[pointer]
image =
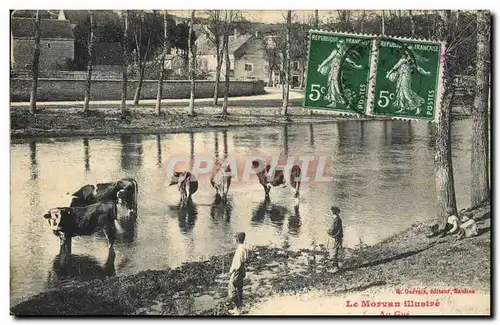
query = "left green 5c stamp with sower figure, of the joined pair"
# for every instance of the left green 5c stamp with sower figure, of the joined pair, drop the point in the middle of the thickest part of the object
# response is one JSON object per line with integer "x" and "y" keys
{"x": 338, "y": 72}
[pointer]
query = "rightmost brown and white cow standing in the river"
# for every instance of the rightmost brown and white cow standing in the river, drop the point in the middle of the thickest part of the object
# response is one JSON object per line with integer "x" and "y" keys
{"x": 278, "y": 179}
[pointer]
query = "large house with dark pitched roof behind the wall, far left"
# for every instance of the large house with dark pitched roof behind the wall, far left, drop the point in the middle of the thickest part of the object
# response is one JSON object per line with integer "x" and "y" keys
{"x": 57, "y": 43}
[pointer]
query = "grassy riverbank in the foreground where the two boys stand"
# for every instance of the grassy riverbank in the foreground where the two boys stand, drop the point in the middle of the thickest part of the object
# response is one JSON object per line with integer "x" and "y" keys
{"x": 199, "y": 288}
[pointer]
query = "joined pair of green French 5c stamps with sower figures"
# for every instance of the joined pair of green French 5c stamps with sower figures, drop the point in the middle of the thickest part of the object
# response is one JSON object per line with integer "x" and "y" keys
{"x": 371, "y": 75}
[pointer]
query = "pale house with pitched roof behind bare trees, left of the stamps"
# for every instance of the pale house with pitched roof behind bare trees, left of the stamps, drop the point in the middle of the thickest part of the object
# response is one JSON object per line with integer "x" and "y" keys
{"x": 246, "y": 56}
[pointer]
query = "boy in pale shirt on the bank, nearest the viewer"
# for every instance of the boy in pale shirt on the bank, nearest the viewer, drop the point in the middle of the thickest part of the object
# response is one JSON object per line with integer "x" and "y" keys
{"x": 237, "y": 273}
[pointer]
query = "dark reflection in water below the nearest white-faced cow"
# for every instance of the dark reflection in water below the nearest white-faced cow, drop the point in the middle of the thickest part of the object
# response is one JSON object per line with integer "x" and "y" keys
{"x": 79, "y": 268}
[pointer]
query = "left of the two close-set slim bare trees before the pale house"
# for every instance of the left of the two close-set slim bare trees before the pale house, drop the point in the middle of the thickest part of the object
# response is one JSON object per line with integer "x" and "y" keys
{"x": 214, "y": 33}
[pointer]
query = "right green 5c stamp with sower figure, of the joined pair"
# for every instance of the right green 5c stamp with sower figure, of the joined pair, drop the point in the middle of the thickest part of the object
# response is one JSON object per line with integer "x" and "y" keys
{"x": 407, "y": 78}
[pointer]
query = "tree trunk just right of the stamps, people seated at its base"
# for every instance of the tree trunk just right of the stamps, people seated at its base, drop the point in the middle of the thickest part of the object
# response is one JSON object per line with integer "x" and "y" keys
{"x": 445, "y": 186}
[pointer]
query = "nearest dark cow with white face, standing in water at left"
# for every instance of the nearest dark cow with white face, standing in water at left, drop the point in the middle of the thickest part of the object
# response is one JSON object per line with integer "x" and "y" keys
{"x": 68, "y": 222}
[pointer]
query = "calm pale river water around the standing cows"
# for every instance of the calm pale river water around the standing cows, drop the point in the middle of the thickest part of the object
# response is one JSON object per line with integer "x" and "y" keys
{"x": 383, "y": 181}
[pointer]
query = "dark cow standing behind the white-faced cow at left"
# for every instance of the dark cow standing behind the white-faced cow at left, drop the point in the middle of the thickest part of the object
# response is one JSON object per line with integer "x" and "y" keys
{"x": 123, "y": 192}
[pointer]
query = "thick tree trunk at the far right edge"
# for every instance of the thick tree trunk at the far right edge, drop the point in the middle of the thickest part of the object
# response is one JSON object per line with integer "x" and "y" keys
{"x": 480, "y": 189}
